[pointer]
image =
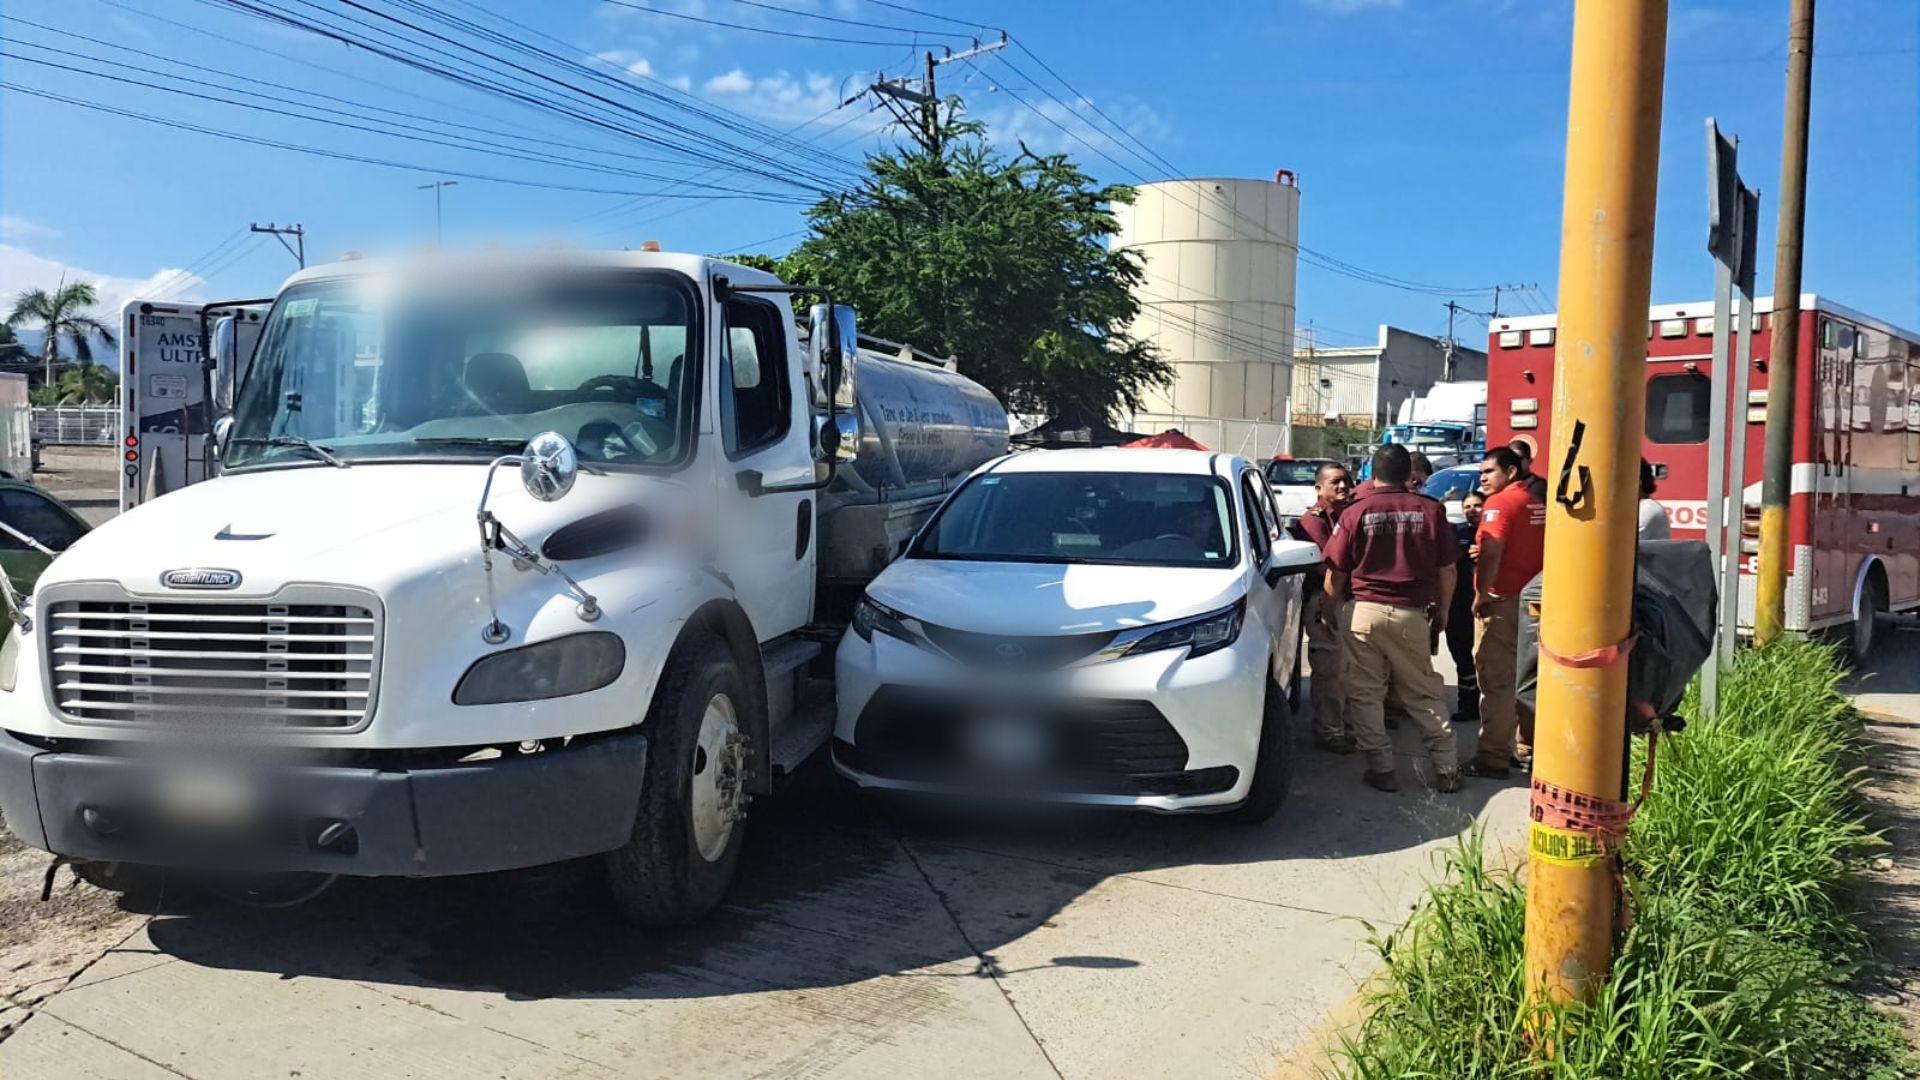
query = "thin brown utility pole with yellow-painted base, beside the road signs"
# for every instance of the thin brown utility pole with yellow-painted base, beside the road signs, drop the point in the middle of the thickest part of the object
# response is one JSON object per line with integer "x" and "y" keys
{"x": 1783, "y": 370}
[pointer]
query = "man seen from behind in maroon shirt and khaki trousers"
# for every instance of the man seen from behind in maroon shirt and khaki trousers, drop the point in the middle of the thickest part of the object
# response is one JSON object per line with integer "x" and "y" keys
{"x": 1393, "y": 552}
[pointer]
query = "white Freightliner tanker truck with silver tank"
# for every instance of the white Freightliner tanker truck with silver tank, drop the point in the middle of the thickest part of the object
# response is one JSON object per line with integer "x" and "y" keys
{"x": 358, "y": 650}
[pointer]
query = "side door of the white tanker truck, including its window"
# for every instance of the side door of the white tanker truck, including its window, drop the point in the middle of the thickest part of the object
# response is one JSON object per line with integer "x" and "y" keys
{"x": 769, "y": 552}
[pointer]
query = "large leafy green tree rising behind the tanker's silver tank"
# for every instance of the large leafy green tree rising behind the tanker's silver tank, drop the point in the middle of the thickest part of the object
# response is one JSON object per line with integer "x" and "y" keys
{"x": 999, "y": 262}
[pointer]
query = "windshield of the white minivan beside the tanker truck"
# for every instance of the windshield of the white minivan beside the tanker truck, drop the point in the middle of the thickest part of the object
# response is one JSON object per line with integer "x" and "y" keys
{"x": 1138, "y": 520}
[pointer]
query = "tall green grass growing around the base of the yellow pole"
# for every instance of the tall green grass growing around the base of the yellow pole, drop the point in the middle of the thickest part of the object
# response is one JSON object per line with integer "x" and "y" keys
{"x": 1742, "y": 943}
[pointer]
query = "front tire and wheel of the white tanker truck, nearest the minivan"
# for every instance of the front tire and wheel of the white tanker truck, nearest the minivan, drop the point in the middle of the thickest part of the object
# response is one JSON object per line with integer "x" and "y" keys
{"x": 686, "y": 843}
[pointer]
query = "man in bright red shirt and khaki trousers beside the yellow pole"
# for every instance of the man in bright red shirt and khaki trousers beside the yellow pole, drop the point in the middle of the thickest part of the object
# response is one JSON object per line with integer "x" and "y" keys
{"x": 1512, "y": 539}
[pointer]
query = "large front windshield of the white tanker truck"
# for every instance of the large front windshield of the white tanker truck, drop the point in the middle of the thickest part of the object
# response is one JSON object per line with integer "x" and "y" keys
{"x": 373, "y": 370}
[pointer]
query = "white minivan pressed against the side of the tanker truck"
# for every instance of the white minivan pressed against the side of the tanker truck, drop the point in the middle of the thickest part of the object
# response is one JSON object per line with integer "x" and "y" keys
{"x": 1109, "y": 627}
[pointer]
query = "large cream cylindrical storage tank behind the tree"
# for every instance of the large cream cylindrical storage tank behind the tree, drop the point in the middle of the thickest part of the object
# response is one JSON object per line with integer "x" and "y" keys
{"x": 1218, "y": 297}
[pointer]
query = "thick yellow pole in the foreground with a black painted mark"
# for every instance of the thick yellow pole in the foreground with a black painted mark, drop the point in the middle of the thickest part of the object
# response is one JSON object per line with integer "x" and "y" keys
{"x": 1614, "y": 147}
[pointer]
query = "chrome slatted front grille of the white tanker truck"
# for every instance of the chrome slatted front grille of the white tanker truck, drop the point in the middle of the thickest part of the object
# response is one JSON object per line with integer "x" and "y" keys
{"x": 212, "y": 664}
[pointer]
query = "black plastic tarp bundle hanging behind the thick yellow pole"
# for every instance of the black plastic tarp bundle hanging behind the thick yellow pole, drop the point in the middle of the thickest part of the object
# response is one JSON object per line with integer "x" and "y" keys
{"x": 1675, "y": 599}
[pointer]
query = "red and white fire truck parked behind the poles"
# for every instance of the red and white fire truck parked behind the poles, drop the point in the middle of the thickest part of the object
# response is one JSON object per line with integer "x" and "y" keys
{"x": 1854, "y": 524}
